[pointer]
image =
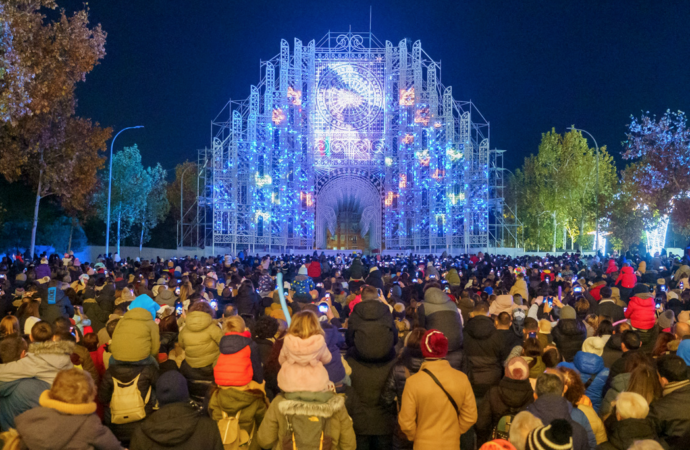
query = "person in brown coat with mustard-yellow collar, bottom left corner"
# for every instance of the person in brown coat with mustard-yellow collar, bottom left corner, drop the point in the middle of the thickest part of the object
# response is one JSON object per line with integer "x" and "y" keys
{"x": 66, "y": 417}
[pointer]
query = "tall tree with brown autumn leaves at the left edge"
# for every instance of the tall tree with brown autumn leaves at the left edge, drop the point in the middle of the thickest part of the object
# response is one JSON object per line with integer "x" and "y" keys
{"x": 43, "y": 144}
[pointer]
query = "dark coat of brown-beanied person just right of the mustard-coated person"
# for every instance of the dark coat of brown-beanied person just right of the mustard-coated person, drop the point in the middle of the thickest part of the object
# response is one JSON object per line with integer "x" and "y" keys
{"x": 507, "y": 398}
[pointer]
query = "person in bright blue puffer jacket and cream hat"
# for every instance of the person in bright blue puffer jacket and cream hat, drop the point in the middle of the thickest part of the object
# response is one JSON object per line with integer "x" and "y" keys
{"x": 590, "y": 365}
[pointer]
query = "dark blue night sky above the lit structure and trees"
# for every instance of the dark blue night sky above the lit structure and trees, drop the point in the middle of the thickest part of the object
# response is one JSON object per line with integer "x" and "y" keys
{"x": 171, "y": 65}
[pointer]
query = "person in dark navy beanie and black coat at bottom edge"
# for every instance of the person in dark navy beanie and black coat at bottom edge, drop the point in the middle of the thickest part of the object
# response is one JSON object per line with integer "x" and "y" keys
{"x": 192, "y": 429}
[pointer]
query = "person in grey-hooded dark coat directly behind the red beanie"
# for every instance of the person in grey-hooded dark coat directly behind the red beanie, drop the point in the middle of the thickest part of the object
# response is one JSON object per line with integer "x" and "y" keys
{"x": 440, "y": 313}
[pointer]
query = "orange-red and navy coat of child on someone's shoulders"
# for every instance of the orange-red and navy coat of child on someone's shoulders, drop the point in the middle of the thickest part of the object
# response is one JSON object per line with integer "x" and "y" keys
{"x": 239, "y": 361}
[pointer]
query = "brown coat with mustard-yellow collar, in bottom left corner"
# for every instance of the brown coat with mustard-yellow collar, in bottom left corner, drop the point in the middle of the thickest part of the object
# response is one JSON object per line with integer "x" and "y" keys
{"x": 58, "y": 425}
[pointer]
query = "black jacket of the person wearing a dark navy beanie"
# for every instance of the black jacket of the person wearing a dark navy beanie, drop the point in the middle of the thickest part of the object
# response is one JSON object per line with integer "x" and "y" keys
{"x": 179, "y": 426}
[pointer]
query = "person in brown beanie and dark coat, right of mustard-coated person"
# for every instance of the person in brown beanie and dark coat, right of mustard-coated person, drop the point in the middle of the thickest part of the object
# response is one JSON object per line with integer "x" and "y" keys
{"x": 512, "y": 394}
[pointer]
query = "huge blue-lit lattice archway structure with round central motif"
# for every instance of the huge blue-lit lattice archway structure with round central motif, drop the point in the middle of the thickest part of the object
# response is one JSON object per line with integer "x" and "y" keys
{"x": 367, "y": 116}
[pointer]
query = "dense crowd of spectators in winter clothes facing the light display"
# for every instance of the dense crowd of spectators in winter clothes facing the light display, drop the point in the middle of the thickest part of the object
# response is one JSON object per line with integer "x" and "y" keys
{"x": 365, "y": 352}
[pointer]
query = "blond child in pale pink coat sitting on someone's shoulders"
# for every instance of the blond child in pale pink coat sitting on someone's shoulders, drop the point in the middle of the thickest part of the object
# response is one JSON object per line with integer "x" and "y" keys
{"x": 303, "y": 356}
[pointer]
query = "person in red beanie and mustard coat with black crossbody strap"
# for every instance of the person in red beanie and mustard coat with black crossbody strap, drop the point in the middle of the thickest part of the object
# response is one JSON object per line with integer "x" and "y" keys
{"x": 427, "y": 416}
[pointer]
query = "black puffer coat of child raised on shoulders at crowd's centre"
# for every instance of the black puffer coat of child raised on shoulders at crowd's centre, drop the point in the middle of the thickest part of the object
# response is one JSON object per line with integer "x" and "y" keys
{"x": 371, "y": 332}
